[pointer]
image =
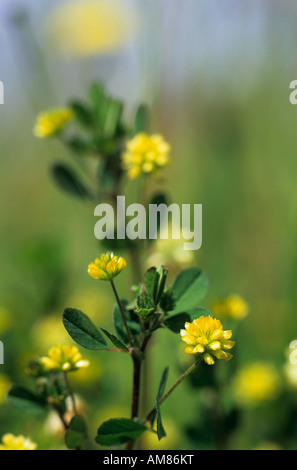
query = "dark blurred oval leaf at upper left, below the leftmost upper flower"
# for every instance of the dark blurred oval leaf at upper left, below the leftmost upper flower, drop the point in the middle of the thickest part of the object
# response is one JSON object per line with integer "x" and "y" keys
{"x": 68, "y": 181}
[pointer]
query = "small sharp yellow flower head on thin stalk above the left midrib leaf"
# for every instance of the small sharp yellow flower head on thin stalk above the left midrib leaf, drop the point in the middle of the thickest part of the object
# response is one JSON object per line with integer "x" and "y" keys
{"x": 107, "y": 267}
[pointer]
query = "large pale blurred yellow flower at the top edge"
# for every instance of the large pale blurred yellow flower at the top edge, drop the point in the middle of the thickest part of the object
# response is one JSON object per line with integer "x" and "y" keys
{"x": 85, "y": 28}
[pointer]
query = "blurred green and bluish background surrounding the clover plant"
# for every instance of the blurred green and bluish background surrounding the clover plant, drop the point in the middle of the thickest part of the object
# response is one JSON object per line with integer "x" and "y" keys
{"x": 216, "y": 76}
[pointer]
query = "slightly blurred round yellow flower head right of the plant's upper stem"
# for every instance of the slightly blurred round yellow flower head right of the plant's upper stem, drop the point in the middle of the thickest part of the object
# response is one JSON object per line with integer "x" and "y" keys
{"x": 145, "y": 154}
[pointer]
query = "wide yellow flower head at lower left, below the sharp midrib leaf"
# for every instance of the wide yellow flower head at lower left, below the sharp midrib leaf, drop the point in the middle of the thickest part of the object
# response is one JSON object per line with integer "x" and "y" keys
{"x": 63, "y": 359}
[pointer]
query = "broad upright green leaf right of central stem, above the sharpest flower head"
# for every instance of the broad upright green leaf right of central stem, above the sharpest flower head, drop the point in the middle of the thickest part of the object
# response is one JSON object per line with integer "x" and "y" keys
{"x": 189, "y": 288}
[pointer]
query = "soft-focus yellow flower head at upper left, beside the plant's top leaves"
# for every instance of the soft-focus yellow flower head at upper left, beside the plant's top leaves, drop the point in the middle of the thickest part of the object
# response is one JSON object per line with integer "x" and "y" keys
{"x": 51, "y": 122}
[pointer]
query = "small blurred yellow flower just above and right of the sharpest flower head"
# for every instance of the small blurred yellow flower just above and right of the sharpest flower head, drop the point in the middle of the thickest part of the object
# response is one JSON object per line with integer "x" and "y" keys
{"x": 233, "y": 306}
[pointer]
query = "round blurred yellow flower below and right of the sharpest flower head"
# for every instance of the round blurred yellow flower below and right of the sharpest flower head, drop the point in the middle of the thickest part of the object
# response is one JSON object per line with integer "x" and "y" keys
{"x": 255, "y": 383}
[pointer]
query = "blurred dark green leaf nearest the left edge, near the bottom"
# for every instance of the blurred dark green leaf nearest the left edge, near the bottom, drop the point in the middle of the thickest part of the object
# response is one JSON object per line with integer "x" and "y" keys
{"x": 26, "y": 399}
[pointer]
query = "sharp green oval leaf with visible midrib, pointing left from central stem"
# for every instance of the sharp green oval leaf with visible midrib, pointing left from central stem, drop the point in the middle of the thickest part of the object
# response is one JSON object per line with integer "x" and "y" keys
{"x": 82, "y": 330}
